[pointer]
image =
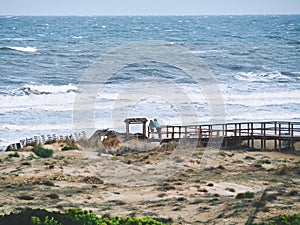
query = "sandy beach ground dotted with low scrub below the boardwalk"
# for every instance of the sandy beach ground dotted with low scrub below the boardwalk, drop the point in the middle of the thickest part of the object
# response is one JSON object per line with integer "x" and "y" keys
{"x": 192, "y": 195}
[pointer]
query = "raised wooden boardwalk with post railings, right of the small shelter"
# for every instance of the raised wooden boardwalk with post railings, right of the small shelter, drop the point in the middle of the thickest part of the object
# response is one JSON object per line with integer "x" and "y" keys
{"x": 279, "y": 135}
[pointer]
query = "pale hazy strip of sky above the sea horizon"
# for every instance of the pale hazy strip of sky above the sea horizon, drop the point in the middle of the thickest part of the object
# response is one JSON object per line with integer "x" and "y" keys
{"x": 148, "y": 7}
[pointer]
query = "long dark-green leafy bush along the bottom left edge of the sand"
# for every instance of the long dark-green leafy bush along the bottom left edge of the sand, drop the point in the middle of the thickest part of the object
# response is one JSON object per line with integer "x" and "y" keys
{"x": 70, "y": 217}
